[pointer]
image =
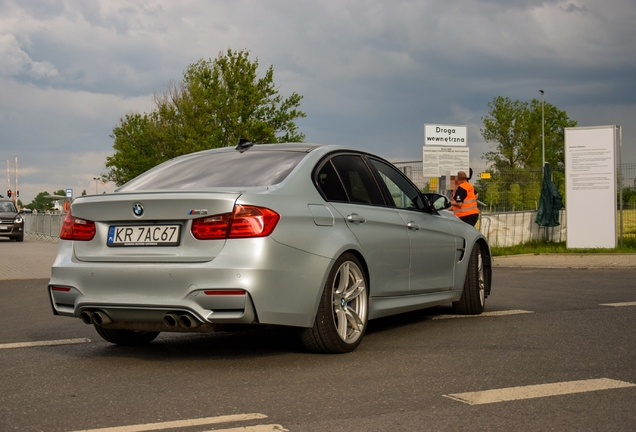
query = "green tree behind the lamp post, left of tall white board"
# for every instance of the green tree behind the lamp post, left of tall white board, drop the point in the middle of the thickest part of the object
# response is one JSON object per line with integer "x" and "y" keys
{"x": 515, "y": 129}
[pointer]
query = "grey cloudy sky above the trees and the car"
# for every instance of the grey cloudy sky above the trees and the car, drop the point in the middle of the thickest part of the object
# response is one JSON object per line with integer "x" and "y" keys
{"x": 372, "y": 72}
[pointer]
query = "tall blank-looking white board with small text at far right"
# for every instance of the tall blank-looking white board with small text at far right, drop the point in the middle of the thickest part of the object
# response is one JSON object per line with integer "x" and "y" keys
{"x": 590, "y": 183}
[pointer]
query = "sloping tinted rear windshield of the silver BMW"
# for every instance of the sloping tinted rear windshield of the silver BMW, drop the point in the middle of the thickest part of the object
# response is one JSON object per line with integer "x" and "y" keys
{"x": 213, "y": 169}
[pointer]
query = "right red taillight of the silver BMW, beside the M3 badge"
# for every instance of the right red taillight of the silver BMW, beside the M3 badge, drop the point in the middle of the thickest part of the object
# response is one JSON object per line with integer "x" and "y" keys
{"x": 243, "y": 222}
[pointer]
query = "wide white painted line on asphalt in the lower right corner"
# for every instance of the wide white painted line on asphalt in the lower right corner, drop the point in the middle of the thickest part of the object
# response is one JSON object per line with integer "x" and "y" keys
{"x": 537, "y": 391}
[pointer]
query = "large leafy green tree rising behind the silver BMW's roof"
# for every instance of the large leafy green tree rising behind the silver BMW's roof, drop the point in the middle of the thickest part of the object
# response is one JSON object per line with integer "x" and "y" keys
{"x": 217, "y": 102}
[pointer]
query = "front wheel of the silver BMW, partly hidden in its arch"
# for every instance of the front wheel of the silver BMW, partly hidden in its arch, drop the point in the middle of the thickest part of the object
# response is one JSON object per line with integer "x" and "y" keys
{"x": 473, "y": 298}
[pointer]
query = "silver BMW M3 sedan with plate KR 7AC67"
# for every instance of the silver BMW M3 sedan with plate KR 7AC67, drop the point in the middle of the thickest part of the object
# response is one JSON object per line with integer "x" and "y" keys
{"x": 319, "y": 237}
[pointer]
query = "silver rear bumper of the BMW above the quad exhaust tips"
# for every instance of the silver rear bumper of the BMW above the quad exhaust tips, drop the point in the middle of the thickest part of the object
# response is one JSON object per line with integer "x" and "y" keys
{"x": 250, "y": 281}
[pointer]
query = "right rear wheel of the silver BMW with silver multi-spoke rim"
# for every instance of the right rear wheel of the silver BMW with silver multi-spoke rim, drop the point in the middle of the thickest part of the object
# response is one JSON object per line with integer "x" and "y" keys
{"x": 341, "y": 320}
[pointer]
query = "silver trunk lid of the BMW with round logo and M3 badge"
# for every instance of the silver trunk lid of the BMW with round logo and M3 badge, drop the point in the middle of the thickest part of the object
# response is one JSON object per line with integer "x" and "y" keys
{"x": 145, "y": 213}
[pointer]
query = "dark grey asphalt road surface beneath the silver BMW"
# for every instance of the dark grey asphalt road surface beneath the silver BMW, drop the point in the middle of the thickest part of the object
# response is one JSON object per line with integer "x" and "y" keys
{"x": 554, "y": 351}
